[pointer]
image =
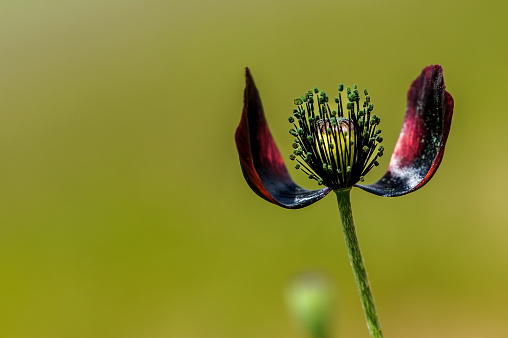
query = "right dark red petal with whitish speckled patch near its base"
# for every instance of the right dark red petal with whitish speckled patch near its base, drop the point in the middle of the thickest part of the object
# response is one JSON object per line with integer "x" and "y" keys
{"x": 422, "y": 140}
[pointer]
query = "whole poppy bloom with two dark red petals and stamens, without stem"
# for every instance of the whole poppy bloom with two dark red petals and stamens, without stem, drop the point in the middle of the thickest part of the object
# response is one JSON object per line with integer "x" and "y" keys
{"x": 338, "y": 147}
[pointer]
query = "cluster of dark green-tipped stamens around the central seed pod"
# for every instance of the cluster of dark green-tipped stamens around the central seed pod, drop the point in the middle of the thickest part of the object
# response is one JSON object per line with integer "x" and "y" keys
{"x": 334, "y": 147}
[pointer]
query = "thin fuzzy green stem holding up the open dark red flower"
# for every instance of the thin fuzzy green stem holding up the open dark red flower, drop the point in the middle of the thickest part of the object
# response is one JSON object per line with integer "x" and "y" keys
{"x": 355, "y": 257}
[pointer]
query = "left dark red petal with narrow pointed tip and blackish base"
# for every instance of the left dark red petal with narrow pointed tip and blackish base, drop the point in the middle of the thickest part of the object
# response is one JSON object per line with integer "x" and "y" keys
{"x": 262, "y": 165}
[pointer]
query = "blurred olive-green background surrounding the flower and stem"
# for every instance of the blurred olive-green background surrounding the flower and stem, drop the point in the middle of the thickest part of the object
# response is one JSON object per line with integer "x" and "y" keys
{"x": 123, "y": 209}
